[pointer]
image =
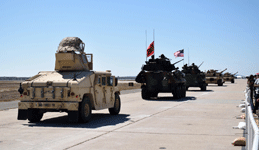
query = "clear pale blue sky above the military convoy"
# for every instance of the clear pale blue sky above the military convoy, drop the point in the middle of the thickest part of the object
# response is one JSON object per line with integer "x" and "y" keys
{"x": 222, "y": 33}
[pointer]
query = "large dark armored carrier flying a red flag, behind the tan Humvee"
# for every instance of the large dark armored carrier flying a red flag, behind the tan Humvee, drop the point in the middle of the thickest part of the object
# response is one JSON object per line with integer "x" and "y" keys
{"x": 159, "y": 75}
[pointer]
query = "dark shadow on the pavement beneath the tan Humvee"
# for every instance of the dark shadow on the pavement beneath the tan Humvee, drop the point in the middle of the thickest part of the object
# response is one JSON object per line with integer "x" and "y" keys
{"x": 97, "y": 120}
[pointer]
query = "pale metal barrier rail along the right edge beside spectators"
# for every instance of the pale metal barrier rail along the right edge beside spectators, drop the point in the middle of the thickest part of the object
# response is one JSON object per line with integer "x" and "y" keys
{"x": 252, "y": 132}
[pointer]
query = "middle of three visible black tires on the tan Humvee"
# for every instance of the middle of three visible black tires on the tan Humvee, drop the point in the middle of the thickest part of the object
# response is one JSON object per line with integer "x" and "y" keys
{"x": 85, "y": 110}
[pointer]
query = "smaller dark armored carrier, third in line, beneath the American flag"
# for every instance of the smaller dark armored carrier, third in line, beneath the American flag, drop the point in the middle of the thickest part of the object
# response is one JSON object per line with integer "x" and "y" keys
{"x": 194, "y": 77}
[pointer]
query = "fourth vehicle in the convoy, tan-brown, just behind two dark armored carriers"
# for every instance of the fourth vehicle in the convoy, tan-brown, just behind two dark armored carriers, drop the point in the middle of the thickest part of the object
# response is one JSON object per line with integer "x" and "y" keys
{"x": 215, "y": 77}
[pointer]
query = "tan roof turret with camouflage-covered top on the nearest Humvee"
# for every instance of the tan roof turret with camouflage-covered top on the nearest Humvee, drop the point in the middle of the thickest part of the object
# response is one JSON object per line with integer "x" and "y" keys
{"x": 70, "y": 56}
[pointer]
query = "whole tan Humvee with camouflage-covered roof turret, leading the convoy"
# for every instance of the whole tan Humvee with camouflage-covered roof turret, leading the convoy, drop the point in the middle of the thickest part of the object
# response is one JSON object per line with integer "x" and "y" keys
{"x": 73, "y": 87}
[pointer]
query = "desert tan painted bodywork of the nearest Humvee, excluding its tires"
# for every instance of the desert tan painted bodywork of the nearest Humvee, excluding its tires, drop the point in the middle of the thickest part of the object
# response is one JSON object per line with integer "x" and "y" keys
{"x": 53, "y": 89}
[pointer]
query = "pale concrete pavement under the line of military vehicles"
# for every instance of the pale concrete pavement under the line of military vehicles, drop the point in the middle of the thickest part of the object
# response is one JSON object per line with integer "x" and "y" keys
{"x": 202, "y": 120}
